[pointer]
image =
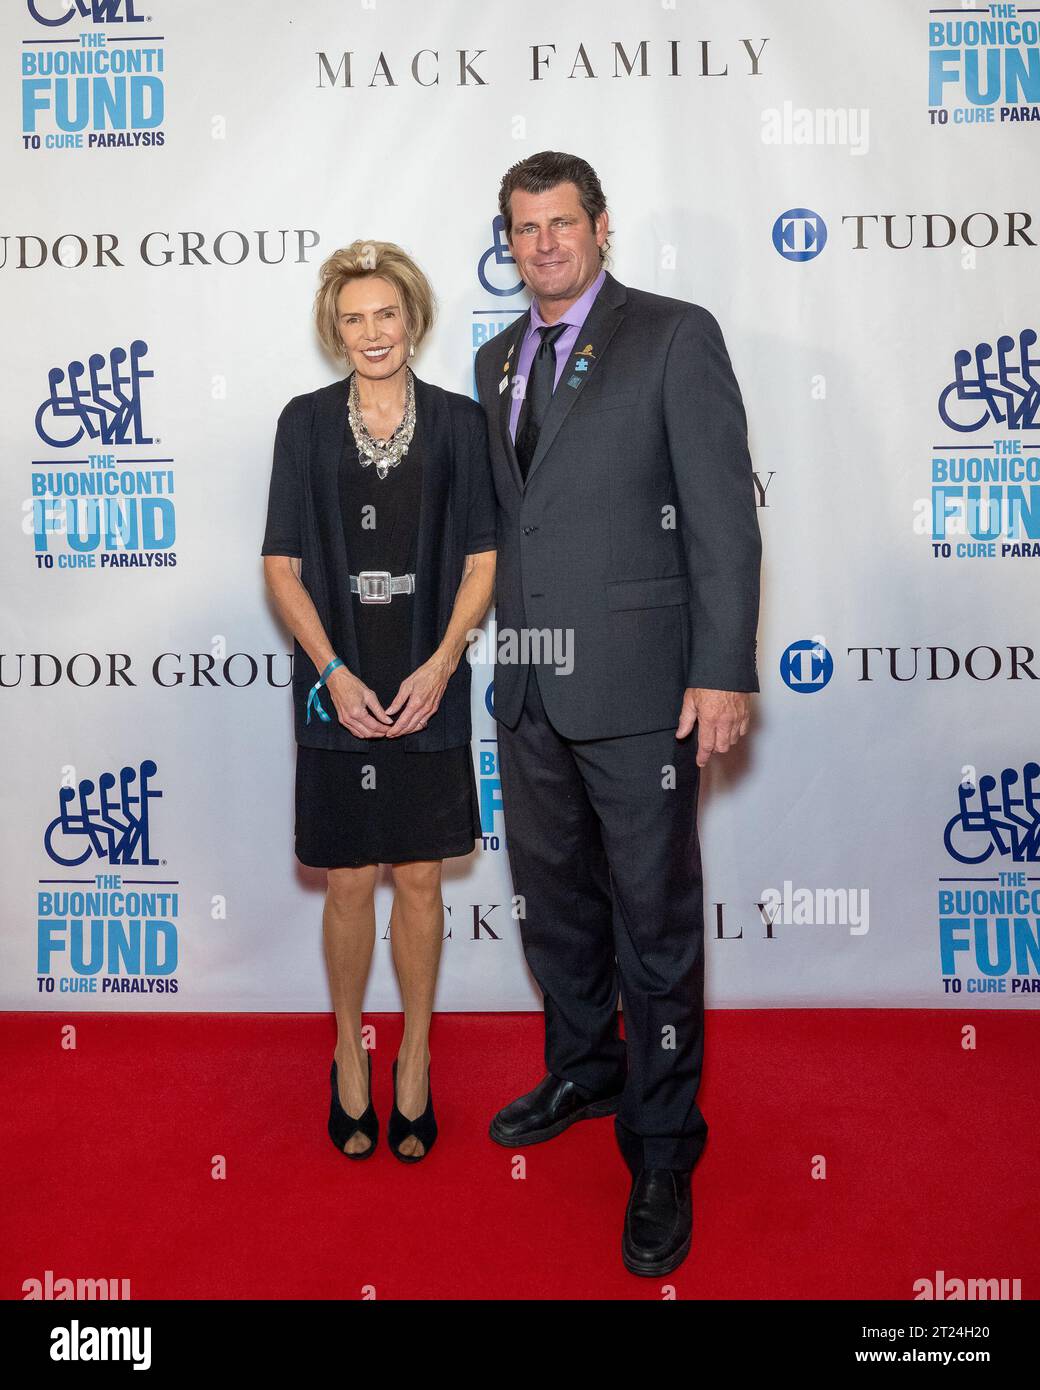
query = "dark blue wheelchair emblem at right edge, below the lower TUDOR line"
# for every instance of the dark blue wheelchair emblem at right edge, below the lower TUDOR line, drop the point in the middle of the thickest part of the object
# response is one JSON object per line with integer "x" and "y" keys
{"x": 1005, "y": 822}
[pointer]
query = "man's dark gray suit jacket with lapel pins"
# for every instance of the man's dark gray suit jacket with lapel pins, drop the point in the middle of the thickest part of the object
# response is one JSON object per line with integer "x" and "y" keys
{"x": 637, "y": 528}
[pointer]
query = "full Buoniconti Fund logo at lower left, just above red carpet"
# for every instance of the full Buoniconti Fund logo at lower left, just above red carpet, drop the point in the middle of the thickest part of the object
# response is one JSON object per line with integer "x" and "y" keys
{"x": 106, "y": 908}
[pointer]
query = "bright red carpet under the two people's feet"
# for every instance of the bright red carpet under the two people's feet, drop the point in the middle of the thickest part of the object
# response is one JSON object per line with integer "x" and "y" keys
{"x": 932, "y": 1157}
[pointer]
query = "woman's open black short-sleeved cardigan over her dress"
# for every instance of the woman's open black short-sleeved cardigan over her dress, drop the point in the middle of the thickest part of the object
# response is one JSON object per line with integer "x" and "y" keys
{"x": 457, "y": 519}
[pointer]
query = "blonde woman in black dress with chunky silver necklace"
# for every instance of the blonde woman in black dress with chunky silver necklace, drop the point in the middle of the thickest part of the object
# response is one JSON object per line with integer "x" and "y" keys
{"x": 380, "y": 557}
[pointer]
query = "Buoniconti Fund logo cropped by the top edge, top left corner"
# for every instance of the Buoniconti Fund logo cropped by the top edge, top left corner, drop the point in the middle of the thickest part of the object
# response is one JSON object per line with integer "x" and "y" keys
{"x": 92, "y": 77}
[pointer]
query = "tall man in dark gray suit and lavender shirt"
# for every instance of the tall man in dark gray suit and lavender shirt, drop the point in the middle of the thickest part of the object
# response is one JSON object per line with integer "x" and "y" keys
{"x": 628, "y": 528}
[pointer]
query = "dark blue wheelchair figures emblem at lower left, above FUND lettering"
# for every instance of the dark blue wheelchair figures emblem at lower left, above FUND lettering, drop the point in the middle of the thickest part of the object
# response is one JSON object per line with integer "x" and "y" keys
{"x": 112, "y": 828}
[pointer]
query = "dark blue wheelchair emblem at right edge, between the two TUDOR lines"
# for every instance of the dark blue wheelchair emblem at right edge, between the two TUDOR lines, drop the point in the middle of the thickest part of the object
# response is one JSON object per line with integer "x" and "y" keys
{"x": 993, "y": 393}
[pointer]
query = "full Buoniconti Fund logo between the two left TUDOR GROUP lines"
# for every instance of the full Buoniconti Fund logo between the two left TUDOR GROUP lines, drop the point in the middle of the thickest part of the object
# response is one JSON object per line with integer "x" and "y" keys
{"x": 102, "y": 498}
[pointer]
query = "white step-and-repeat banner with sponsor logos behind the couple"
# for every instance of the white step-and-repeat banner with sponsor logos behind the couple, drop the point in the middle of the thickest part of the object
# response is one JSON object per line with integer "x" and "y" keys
{"x": 850, "y": 190}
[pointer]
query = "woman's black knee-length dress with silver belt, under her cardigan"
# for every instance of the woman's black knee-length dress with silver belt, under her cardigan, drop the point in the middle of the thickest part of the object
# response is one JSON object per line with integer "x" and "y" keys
{"x": 422, "y": 806}
